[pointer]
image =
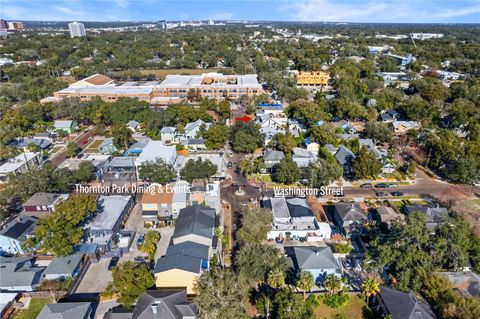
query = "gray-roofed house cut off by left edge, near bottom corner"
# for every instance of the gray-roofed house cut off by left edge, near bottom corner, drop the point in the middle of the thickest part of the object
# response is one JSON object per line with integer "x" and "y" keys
{"x": 19, "y": 274}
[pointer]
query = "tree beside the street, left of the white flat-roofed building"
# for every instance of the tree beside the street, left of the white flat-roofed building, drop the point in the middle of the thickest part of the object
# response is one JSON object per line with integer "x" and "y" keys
{"x": 256, "y": 223}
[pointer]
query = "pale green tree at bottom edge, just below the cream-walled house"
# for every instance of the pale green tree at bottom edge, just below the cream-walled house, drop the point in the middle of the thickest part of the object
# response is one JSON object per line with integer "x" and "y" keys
{"x": 220, "y": 294}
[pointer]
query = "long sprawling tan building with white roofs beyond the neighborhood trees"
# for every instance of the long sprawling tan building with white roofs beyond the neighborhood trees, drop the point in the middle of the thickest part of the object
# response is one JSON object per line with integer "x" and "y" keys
{"x": 173, "y": 89}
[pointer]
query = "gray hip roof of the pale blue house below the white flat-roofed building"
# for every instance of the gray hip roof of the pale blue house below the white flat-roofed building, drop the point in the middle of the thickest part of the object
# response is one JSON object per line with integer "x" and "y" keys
{"x": 314, "y": 258}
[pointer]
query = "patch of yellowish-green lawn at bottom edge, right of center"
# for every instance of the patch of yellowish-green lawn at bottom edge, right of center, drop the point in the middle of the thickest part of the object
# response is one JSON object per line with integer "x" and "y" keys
{"x": 355, "y": 309}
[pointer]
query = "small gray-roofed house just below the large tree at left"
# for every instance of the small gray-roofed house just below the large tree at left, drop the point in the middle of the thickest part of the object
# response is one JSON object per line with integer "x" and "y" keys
{"x": 61, "y": 268}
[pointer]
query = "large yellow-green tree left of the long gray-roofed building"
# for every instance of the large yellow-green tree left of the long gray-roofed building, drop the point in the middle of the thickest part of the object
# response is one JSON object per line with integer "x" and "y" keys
{"x": 59, "y": 231}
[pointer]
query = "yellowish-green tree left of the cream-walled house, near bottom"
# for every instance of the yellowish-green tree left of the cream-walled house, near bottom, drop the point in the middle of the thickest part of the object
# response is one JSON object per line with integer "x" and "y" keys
{"x": 129, "y": 281}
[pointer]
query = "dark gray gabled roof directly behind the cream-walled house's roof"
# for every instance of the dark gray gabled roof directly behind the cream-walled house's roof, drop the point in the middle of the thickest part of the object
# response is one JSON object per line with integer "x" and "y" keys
{"x": 198, "y": 220}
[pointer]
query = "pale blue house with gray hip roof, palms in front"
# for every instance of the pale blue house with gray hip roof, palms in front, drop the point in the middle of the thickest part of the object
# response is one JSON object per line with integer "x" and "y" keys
{"x": 319, "y": 261}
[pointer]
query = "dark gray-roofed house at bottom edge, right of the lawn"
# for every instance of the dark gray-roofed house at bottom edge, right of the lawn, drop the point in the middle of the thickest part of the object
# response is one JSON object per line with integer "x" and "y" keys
{"x": 402, "y": 305}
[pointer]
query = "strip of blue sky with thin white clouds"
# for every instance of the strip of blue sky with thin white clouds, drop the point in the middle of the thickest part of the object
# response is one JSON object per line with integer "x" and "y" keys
{"x": 426, "y": 11}
